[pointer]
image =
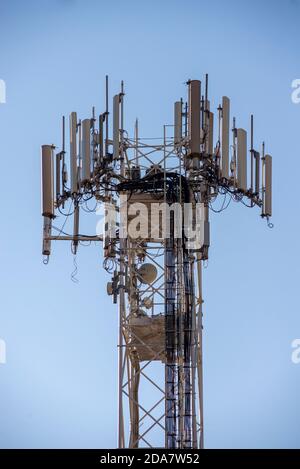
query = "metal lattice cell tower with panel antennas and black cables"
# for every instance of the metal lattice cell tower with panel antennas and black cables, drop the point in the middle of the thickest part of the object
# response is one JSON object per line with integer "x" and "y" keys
{"x": 157, "y": 194}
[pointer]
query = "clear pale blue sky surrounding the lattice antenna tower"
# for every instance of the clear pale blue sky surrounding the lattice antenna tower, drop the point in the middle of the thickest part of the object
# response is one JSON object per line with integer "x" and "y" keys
{"x": 59, "y": 386}
